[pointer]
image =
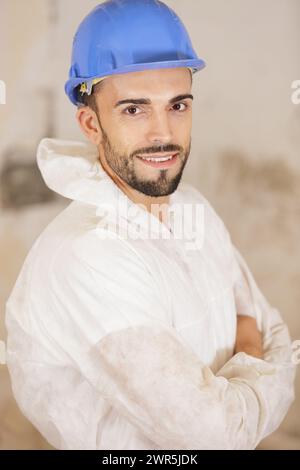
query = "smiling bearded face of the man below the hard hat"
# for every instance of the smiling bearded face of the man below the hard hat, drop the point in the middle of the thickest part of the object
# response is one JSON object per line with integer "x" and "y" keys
{"x": 154, "y": 122}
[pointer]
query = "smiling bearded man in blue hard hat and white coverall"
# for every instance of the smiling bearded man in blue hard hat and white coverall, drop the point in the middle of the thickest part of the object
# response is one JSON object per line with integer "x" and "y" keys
{"x": 124, "y": 331}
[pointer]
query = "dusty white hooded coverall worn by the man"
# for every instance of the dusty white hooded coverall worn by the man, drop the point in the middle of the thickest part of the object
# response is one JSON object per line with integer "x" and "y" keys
{"x": 127, "y": 343}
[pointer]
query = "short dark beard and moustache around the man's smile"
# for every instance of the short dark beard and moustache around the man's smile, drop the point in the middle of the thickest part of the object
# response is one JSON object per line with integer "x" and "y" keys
{"x": 124, "y": 167}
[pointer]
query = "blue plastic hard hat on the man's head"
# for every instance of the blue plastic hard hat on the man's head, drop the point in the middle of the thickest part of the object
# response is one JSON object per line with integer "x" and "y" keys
{"x": 121, "y": 36}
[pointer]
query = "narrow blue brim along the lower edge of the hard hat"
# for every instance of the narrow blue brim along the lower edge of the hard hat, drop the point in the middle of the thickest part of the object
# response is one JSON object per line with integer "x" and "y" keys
{"x": 72, "y": 83}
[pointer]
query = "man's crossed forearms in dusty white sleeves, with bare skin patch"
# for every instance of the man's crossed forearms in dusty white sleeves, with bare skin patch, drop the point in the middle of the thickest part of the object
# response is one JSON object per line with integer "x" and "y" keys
{"x": 176, "y": 401}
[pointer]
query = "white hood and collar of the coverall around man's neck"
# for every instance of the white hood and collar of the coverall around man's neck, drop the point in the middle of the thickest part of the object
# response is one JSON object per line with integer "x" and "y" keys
{"x": 72, "y": 169}
